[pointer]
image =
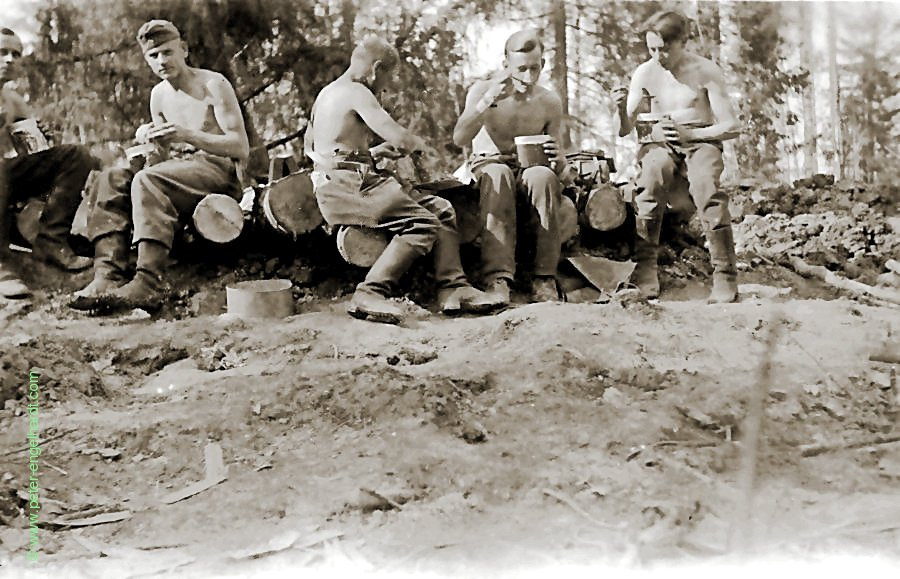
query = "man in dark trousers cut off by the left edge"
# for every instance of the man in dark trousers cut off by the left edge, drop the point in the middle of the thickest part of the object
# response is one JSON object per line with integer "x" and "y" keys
{"x": 58, "y": 172}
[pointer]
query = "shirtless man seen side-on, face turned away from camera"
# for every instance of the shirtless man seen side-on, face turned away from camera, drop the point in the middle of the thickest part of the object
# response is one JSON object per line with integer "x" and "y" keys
{"x": 350, "y": 191}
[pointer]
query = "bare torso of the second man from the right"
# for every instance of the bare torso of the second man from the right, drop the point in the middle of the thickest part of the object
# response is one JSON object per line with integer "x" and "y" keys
{"x": 516, "y": 114}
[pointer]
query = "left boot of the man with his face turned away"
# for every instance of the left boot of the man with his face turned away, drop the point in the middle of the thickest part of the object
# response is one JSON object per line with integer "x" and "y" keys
{"x": 371, "y": 300}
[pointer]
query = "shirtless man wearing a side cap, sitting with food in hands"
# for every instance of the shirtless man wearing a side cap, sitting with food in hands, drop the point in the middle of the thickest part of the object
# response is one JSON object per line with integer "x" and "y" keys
{"x": 197, "y": 121}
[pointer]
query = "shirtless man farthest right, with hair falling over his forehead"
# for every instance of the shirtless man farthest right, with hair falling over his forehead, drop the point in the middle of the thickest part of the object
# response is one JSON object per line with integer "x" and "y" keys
{"x": 689, "y": 89}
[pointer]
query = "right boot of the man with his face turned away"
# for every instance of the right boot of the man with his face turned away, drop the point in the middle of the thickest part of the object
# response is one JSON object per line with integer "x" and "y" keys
{"x": 455, "y": 293}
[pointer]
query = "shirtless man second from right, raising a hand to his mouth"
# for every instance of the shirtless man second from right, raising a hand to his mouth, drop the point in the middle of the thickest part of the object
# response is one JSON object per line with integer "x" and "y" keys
{"x": 508, "y": 105}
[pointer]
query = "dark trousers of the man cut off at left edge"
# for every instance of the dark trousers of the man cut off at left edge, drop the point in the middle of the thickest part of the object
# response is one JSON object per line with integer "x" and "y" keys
{"x": 59, "y": 174}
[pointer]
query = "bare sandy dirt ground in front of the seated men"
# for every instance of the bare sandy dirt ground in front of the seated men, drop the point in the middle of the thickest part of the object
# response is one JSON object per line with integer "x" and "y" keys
{"x": 547, "y": 435}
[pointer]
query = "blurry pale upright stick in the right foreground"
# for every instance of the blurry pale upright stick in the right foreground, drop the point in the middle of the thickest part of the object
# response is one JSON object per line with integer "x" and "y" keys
{"x": 739, "y": 533}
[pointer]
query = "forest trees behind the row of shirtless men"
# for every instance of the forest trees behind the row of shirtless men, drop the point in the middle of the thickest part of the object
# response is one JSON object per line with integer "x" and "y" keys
{"x": 815, "y": 83}
